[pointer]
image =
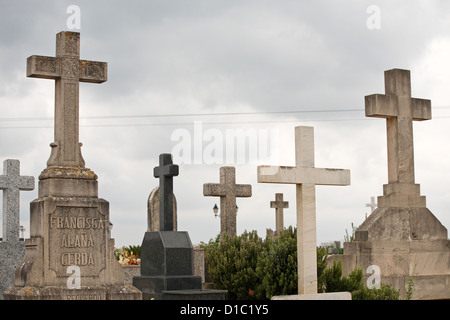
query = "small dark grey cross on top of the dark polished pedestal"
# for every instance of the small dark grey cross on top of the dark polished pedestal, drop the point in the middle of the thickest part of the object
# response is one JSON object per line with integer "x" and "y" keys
{"x": 165, "y": 172}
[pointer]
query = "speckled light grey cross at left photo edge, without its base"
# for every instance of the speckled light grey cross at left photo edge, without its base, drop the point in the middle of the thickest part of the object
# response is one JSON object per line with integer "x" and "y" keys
{"x": 11, "y": 182}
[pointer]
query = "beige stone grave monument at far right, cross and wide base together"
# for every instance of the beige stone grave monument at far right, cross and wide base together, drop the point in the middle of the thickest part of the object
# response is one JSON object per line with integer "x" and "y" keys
{"x": 402, "y": 237}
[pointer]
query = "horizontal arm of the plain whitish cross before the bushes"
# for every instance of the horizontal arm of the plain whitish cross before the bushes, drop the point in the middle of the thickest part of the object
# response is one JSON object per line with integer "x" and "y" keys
{"x": 301, "y": 175}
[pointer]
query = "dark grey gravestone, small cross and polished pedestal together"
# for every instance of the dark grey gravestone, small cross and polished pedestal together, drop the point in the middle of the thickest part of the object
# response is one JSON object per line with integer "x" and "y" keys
{"x": 167, "y": 256}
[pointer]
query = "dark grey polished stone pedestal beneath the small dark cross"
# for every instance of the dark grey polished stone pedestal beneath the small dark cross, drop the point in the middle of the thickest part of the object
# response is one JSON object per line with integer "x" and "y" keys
{"x": 167, "y": 268}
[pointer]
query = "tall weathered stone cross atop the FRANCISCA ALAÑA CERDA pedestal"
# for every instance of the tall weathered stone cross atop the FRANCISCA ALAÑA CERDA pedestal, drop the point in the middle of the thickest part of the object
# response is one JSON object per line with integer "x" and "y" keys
{"x": 67, "y": 70}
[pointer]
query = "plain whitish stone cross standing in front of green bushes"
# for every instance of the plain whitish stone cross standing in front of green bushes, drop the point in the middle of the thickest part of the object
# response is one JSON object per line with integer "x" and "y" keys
{"x": 305, "y": 176}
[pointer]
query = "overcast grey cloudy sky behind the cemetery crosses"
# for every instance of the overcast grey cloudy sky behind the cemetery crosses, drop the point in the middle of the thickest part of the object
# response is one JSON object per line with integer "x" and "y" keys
{"x": 204, "y": 69}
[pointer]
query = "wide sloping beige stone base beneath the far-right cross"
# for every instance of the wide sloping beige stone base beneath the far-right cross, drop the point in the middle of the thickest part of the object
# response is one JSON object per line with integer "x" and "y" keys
{"x": 406, "y": 244}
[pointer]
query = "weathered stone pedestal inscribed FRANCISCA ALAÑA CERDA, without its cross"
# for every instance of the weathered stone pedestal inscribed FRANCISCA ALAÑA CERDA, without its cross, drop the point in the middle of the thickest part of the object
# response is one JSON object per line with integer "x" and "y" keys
{"x": 69, "y": 254}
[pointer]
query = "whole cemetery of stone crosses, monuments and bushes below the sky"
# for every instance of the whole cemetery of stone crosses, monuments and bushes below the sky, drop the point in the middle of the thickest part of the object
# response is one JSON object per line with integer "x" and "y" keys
{"x": 70, "y": 253}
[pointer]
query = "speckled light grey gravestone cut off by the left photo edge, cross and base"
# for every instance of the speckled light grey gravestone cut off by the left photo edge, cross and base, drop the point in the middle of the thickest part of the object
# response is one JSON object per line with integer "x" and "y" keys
{"x": 12, "y": 249}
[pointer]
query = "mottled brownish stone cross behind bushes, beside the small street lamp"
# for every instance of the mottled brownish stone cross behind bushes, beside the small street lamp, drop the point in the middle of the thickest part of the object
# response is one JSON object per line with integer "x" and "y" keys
{"x": 227, "y": 190}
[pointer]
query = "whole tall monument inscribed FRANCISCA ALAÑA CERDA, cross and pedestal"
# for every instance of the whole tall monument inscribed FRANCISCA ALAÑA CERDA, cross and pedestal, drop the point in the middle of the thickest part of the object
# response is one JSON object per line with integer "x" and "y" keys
{"x": 69, "y": 254}
